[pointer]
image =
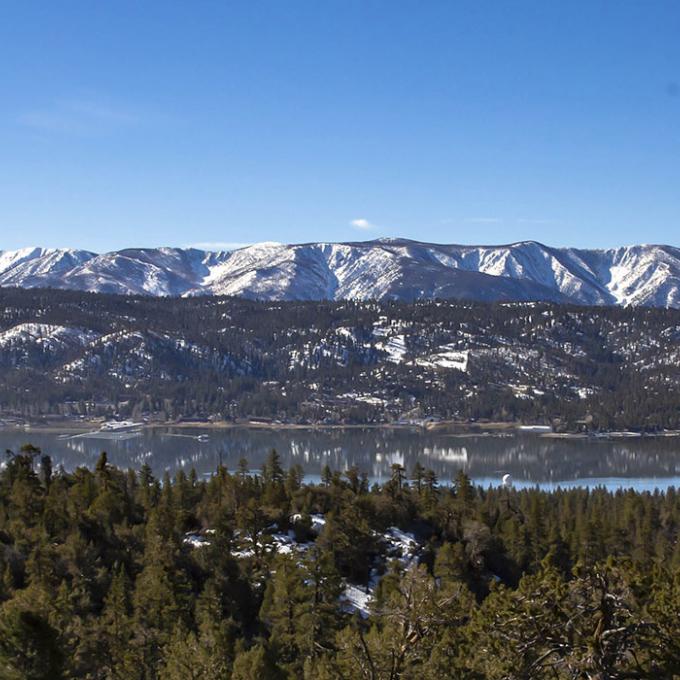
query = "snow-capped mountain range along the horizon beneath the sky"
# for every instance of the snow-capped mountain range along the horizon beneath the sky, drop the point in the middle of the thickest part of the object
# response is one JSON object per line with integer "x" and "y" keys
{"x": 384, "y": 269}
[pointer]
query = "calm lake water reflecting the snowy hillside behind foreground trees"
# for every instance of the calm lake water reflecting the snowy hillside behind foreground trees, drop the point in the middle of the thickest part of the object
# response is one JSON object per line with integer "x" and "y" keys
{"x": 531, "y": 460}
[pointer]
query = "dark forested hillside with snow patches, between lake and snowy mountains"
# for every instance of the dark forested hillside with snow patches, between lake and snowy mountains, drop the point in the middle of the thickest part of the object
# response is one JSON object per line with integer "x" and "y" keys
{"x": 76, "y": 354}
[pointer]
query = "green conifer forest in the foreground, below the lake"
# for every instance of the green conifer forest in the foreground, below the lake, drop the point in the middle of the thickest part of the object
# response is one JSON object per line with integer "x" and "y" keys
{"x": 112, "y": 574}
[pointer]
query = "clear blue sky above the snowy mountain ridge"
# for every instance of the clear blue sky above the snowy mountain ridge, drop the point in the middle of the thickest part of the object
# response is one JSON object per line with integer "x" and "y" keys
{"x": 174, "y": 123}
